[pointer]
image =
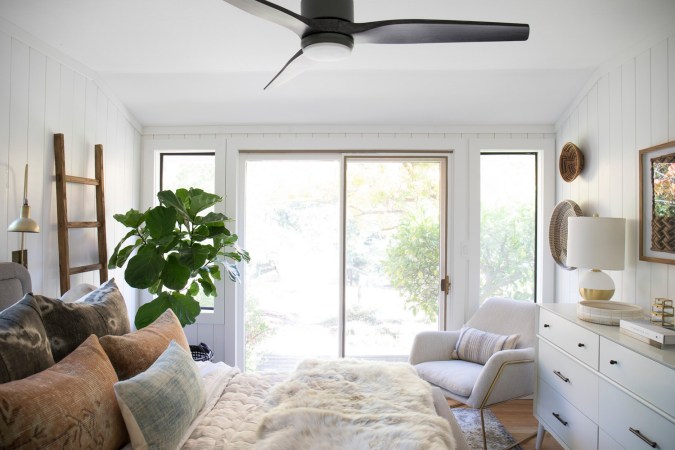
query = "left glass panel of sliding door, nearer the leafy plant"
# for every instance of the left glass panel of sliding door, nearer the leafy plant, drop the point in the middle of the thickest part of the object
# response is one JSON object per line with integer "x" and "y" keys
{"x": 291, "y": 300}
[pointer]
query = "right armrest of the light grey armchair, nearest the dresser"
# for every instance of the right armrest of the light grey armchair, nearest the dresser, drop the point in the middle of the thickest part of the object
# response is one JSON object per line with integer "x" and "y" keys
{"x": 511, "y": 372}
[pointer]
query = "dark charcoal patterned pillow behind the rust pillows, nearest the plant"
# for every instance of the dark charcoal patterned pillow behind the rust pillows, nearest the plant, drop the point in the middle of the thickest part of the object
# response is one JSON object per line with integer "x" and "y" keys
{"x": 101, "y": 312}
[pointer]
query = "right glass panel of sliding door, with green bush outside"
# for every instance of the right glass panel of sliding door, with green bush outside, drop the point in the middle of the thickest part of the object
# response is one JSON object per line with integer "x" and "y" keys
{"x": 392, "y": 254}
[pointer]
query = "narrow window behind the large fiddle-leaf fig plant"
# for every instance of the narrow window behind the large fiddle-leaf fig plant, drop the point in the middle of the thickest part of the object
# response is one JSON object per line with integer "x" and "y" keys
{"x": 189, "y": 170}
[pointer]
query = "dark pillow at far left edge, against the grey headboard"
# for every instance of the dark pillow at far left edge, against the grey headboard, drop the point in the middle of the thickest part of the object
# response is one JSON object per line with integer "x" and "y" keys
{"x": 24, "y": 348}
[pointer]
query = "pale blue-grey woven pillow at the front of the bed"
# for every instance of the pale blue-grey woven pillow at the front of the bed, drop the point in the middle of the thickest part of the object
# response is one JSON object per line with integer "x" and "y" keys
{"x": 159, "y": 404}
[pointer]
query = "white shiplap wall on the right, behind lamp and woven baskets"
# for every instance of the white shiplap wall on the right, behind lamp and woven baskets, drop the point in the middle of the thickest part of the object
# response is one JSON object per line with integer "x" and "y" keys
{"x": 631, "y": 106}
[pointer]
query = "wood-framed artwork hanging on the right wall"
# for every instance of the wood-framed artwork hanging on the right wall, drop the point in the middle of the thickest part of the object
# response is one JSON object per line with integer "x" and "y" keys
{"x": 657, "y": 204}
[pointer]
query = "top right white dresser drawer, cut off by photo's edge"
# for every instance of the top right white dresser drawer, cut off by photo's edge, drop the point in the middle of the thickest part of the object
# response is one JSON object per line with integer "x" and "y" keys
{"x": 644, "y": 377}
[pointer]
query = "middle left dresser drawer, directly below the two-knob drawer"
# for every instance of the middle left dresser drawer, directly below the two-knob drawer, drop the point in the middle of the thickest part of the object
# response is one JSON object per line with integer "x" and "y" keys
{"x": 574, "y": 381}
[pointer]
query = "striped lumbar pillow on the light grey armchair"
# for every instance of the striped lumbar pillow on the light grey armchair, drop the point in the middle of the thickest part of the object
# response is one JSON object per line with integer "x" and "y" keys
{"x": 478, "y": 346}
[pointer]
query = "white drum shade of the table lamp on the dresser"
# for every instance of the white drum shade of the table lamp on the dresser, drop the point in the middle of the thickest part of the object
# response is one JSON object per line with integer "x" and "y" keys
{"x": 596, "y": 242}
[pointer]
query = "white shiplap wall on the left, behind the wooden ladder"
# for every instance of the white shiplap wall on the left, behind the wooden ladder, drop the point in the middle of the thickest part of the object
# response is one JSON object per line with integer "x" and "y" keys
{"x": 41, "y": 93}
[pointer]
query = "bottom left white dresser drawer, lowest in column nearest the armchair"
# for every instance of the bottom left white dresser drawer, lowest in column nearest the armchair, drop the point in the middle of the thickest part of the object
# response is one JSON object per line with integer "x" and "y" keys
{"x": 563, "y": 420}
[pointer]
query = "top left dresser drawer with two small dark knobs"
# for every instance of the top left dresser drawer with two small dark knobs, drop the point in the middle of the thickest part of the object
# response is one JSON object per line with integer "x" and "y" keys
{"x": 575, "y": 340}
